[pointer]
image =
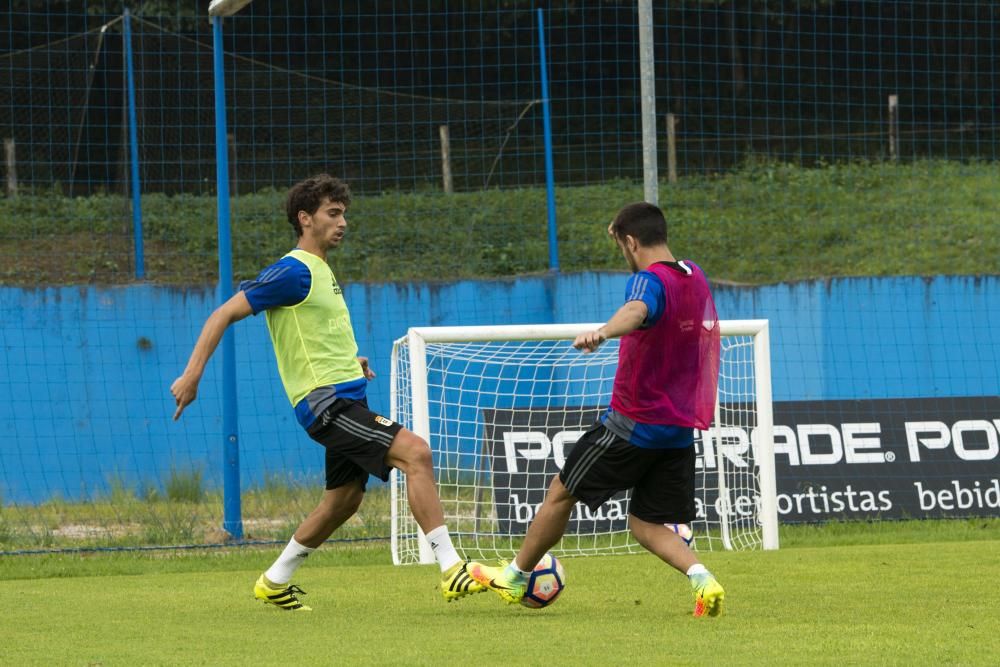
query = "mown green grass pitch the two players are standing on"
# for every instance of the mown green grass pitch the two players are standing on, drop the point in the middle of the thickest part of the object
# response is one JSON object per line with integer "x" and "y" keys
{"x": 862, "y": 595}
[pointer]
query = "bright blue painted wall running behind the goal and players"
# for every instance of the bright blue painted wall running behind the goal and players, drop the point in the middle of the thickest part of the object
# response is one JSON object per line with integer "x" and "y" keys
{"x": 85, "y": 372}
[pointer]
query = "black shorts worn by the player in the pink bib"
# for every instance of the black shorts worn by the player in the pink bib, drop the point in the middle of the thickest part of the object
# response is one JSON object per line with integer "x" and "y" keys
{"x": 662, "y": 480}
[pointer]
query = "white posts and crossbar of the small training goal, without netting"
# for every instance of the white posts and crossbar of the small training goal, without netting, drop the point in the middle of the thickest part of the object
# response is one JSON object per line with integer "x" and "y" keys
{"x": 417, "y": 339}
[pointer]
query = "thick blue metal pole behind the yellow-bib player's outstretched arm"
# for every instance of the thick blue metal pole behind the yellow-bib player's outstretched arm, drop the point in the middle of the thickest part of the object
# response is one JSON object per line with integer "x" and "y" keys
{"x": 232, "y": 521}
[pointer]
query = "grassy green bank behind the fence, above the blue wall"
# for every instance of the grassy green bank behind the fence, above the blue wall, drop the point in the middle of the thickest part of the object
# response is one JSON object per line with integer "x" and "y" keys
{"x": 767, "y": 222}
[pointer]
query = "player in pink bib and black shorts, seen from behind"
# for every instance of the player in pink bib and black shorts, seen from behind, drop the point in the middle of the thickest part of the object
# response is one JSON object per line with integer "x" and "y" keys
{"x": 665, "y": 387}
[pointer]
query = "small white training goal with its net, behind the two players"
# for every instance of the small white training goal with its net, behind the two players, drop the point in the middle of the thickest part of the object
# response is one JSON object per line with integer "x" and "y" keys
{"x": 502, "y": 406}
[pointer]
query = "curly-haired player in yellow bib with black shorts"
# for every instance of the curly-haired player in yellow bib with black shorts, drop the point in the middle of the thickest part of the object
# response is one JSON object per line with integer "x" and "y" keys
{"x": 326, "y": 382}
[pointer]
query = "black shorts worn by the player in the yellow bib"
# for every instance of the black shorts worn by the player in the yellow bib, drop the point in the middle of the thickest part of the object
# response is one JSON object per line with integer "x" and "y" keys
{"x": 356, "y": 440}
